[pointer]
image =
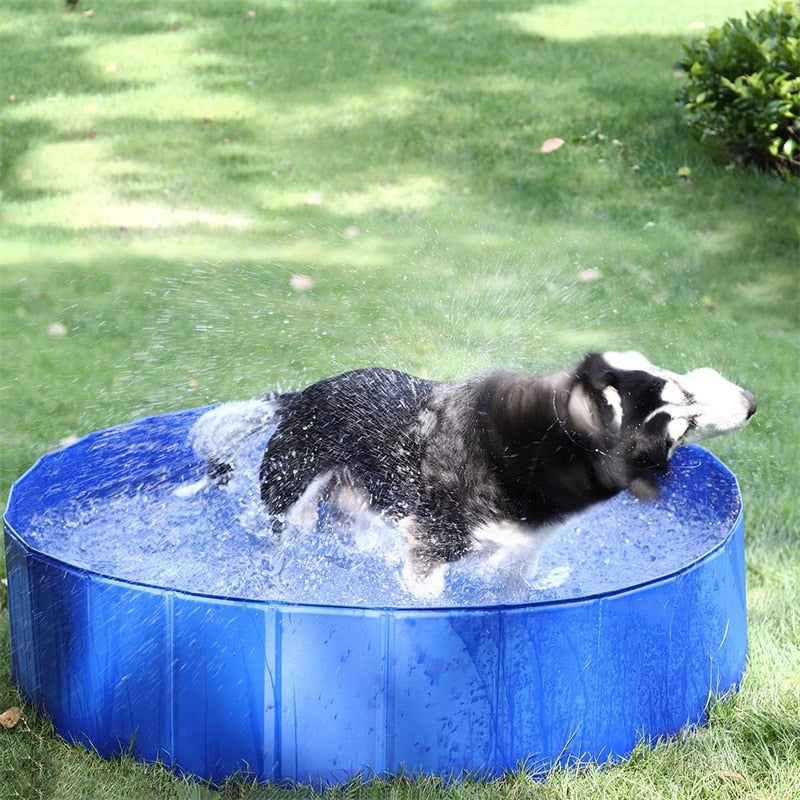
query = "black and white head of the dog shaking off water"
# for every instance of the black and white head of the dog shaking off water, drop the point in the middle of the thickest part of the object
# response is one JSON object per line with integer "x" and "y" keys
{"x": 637, "y": 414}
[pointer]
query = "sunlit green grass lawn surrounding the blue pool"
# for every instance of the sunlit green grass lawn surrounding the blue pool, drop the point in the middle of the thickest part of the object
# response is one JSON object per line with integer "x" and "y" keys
{"x": 167, "y": 169}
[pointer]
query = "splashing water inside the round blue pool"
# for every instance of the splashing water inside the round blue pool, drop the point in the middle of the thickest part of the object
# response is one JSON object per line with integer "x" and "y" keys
{"x": 219, "y": 542}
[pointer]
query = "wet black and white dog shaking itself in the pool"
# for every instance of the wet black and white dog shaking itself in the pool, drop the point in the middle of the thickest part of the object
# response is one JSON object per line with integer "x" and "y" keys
{"x": 489, "y": 457}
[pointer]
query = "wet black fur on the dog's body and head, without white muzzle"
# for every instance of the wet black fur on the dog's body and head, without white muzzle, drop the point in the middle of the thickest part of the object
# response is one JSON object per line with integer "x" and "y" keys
{"x": 449, "y": 457}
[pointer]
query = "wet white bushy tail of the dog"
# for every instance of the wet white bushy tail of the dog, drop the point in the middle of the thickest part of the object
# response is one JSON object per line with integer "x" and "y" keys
{"x": 224, "y": 433}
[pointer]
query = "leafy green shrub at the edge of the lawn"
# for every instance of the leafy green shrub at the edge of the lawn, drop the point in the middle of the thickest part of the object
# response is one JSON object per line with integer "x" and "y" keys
{"x": 743, "y": 86}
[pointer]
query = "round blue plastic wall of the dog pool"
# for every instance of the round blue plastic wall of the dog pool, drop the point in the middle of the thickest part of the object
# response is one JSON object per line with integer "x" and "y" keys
{"x": 213, "y": 685}
